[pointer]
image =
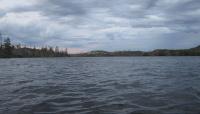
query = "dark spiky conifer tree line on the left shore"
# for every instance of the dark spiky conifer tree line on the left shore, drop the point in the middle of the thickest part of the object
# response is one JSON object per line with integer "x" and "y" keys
{"x": 8, "y": 50}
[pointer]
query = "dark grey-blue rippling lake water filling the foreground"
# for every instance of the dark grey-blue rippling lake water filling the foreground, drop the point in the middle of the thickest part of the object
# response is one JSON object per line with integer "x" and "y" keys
{"x": 110, "y": 85}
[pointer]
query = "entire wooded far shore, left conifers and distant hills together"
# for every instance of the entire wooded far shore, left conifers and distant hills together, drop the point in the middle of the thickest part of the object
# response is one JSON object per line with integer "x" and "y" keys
{"x": 9, "y": 50}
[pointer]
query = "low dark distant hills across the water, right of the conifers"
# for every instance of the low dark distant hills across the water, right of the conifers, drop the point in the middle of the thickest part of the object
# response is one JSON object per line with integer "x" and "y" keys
{"x": 158, "y": 52}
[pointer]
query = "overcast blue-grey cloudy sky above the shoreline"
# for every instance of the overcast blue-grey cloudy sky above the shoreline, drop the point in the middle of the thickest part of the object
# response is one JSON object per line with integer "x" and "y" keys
{"x": 84, "y": 25}
